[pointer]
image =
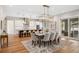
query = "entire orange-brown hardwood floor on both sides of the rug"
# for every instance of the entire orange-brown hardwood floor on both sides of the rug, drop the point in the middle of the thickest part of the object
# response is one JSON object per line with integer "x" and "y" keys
{"x": 15, "y": 46}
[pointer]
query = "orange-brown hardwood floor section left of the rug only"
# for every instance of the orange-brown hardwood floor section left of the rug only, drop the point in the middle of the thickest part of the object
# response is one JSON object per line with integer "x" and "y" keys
{"x": 15, "y": 45}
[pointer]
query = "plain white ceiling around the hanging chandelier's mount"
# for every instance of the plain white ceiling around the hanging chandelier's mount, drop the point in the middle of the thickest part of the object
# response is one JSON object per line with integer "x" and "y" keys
{"x": 36, "y": 10}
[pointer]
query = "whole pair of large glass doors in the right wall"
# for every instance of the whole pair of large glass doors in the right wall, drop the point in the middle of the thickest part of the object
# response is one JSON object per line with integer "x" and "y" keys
{"x": 70, "y": 27}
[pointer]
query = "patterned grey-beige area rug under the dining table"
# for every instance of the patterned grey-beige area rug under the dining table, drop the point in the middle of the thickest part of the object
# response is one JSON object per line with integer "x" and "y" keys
{"x": 28, "y": 45}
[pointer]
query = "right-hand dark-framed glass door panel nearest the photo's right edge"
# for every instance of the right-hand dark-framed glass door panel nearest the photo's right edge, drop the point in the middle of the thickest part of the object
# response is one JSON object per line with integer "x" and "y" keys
{"x": 74, "y": 27}
